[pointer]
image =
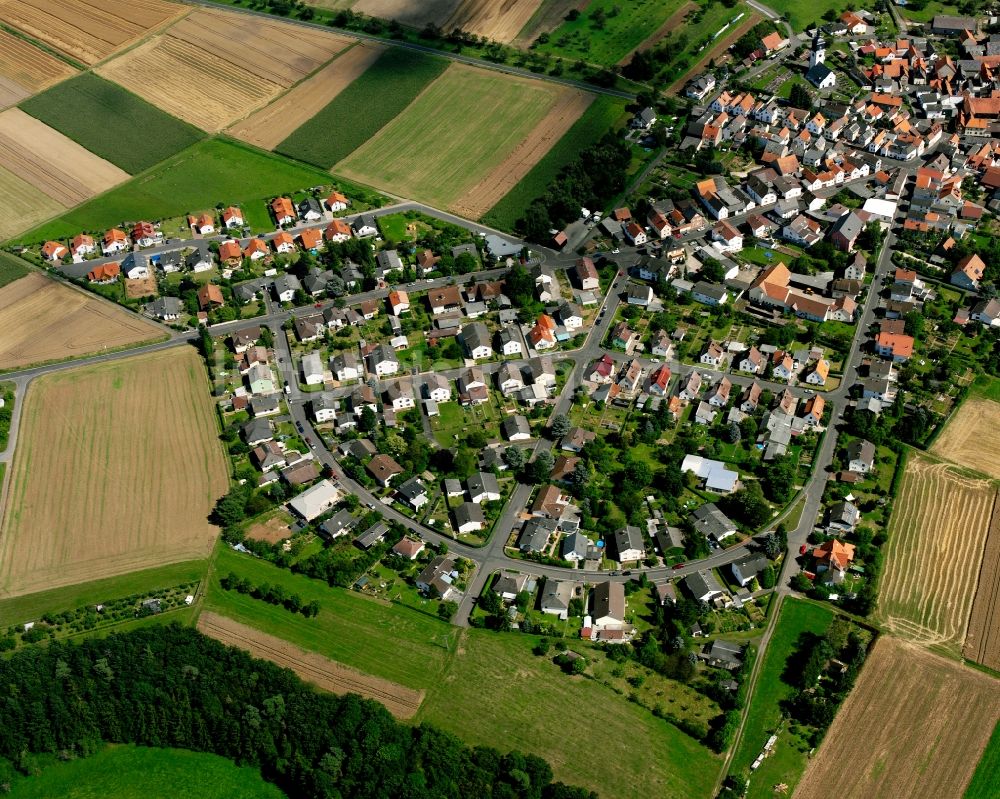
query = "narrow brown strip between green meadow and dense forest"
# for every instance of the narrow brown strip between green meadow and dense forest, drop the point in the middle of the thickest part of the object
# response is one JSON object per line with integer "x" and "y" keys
{"x": 322, "y": 672}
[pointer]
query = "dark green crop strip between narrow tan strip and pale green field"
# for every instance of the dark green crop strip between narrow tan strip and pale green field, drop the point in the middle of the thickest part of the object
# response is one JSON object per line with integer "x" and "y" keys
{"x": 363, "y": 108}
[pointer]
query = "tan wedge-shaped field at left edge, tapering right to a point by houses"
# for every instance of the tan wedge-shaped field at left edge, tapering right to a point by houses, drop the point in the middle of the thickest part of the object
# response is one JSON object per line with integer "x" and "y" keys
{"x": 44, "y": 320}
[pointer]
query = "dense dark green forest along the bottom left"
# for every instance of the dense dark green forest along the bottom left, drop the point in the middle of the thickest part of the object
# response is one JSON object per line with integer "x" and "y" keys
{"x": 171, "y": 686}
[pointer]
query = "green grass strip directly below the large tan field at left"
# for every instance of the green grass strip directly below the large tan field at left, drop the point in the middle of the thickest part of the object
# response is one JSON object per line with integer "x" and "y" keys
{"x": 31, "y": 606}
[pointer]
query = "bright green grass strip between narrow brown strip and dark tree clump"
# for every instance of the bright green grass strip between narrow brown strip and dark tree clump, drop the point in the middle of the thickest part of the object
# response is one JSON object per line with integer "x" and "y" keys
{"x": 602, "y": 115}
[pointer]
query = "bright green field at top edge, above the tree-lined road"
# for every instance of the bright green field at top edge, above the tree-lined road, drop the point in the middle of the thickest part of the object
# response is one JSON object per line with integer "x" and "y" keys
{"x": 607, "y": 30}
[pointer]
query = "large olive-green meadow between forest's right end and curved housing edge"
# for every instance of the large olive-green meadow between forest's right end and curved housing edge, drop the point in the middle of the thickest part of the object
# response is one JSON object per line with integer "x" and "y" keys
{"x": 534, "y": 707}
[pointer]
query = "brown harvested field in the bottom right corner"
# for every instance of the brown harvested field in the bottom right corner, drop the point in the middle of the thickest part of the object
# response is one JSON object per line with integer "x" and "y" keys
{"x": 914, "y": 726}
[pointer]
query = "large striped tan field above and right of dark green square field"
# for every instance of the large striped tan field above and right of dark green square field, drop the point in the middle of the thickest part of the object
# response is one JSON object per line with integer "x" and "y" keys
{"x": 211, "y": 70}
